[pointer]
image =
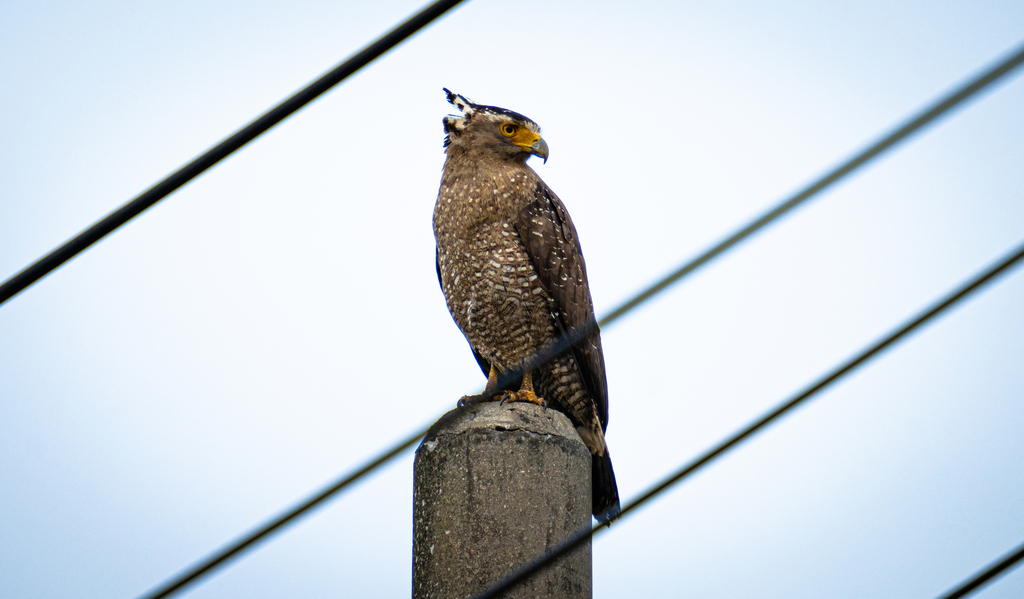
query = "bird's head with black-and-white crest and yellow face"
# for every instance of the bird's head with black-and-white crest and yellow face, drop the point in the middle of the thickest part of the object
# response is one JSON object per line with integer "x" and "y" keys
{"x": 492, "y": 132}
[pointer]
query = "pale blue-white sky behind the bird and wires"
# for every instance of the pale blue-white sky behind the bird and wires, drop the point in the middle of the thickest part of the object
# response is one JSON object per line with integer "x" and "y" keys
{"x": 278, "y": 322}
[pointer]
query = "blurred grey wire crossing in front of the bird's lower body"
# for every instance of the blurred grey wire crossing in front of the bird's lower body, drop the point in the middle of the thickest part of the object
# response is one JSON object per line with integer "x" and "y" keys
{"x": 578, "y": 333}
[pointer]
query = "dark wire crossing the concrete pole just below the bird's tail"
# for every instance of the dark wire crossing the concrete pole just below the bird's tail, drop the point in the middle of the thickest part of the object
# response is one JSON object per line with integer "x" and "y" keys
{"x": 584, "y": 535}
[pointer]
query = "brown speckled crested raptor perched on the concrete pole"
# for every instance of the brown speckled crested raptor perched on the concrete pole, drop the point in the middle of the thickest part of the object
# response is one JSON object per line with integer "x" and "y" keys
{"x": 514, "y": 275}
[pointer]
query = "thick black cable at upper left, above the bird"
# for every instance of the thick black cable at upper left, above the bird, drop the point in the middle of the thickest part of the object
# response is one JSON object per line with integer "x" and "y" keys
{"x": 173, "y": 183}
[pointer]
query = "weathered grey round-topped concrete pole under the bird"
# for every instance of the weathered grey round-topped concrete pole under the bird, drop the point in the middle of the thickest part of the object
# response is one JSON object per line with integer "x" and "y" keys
{"x": 494, "y": 487}
